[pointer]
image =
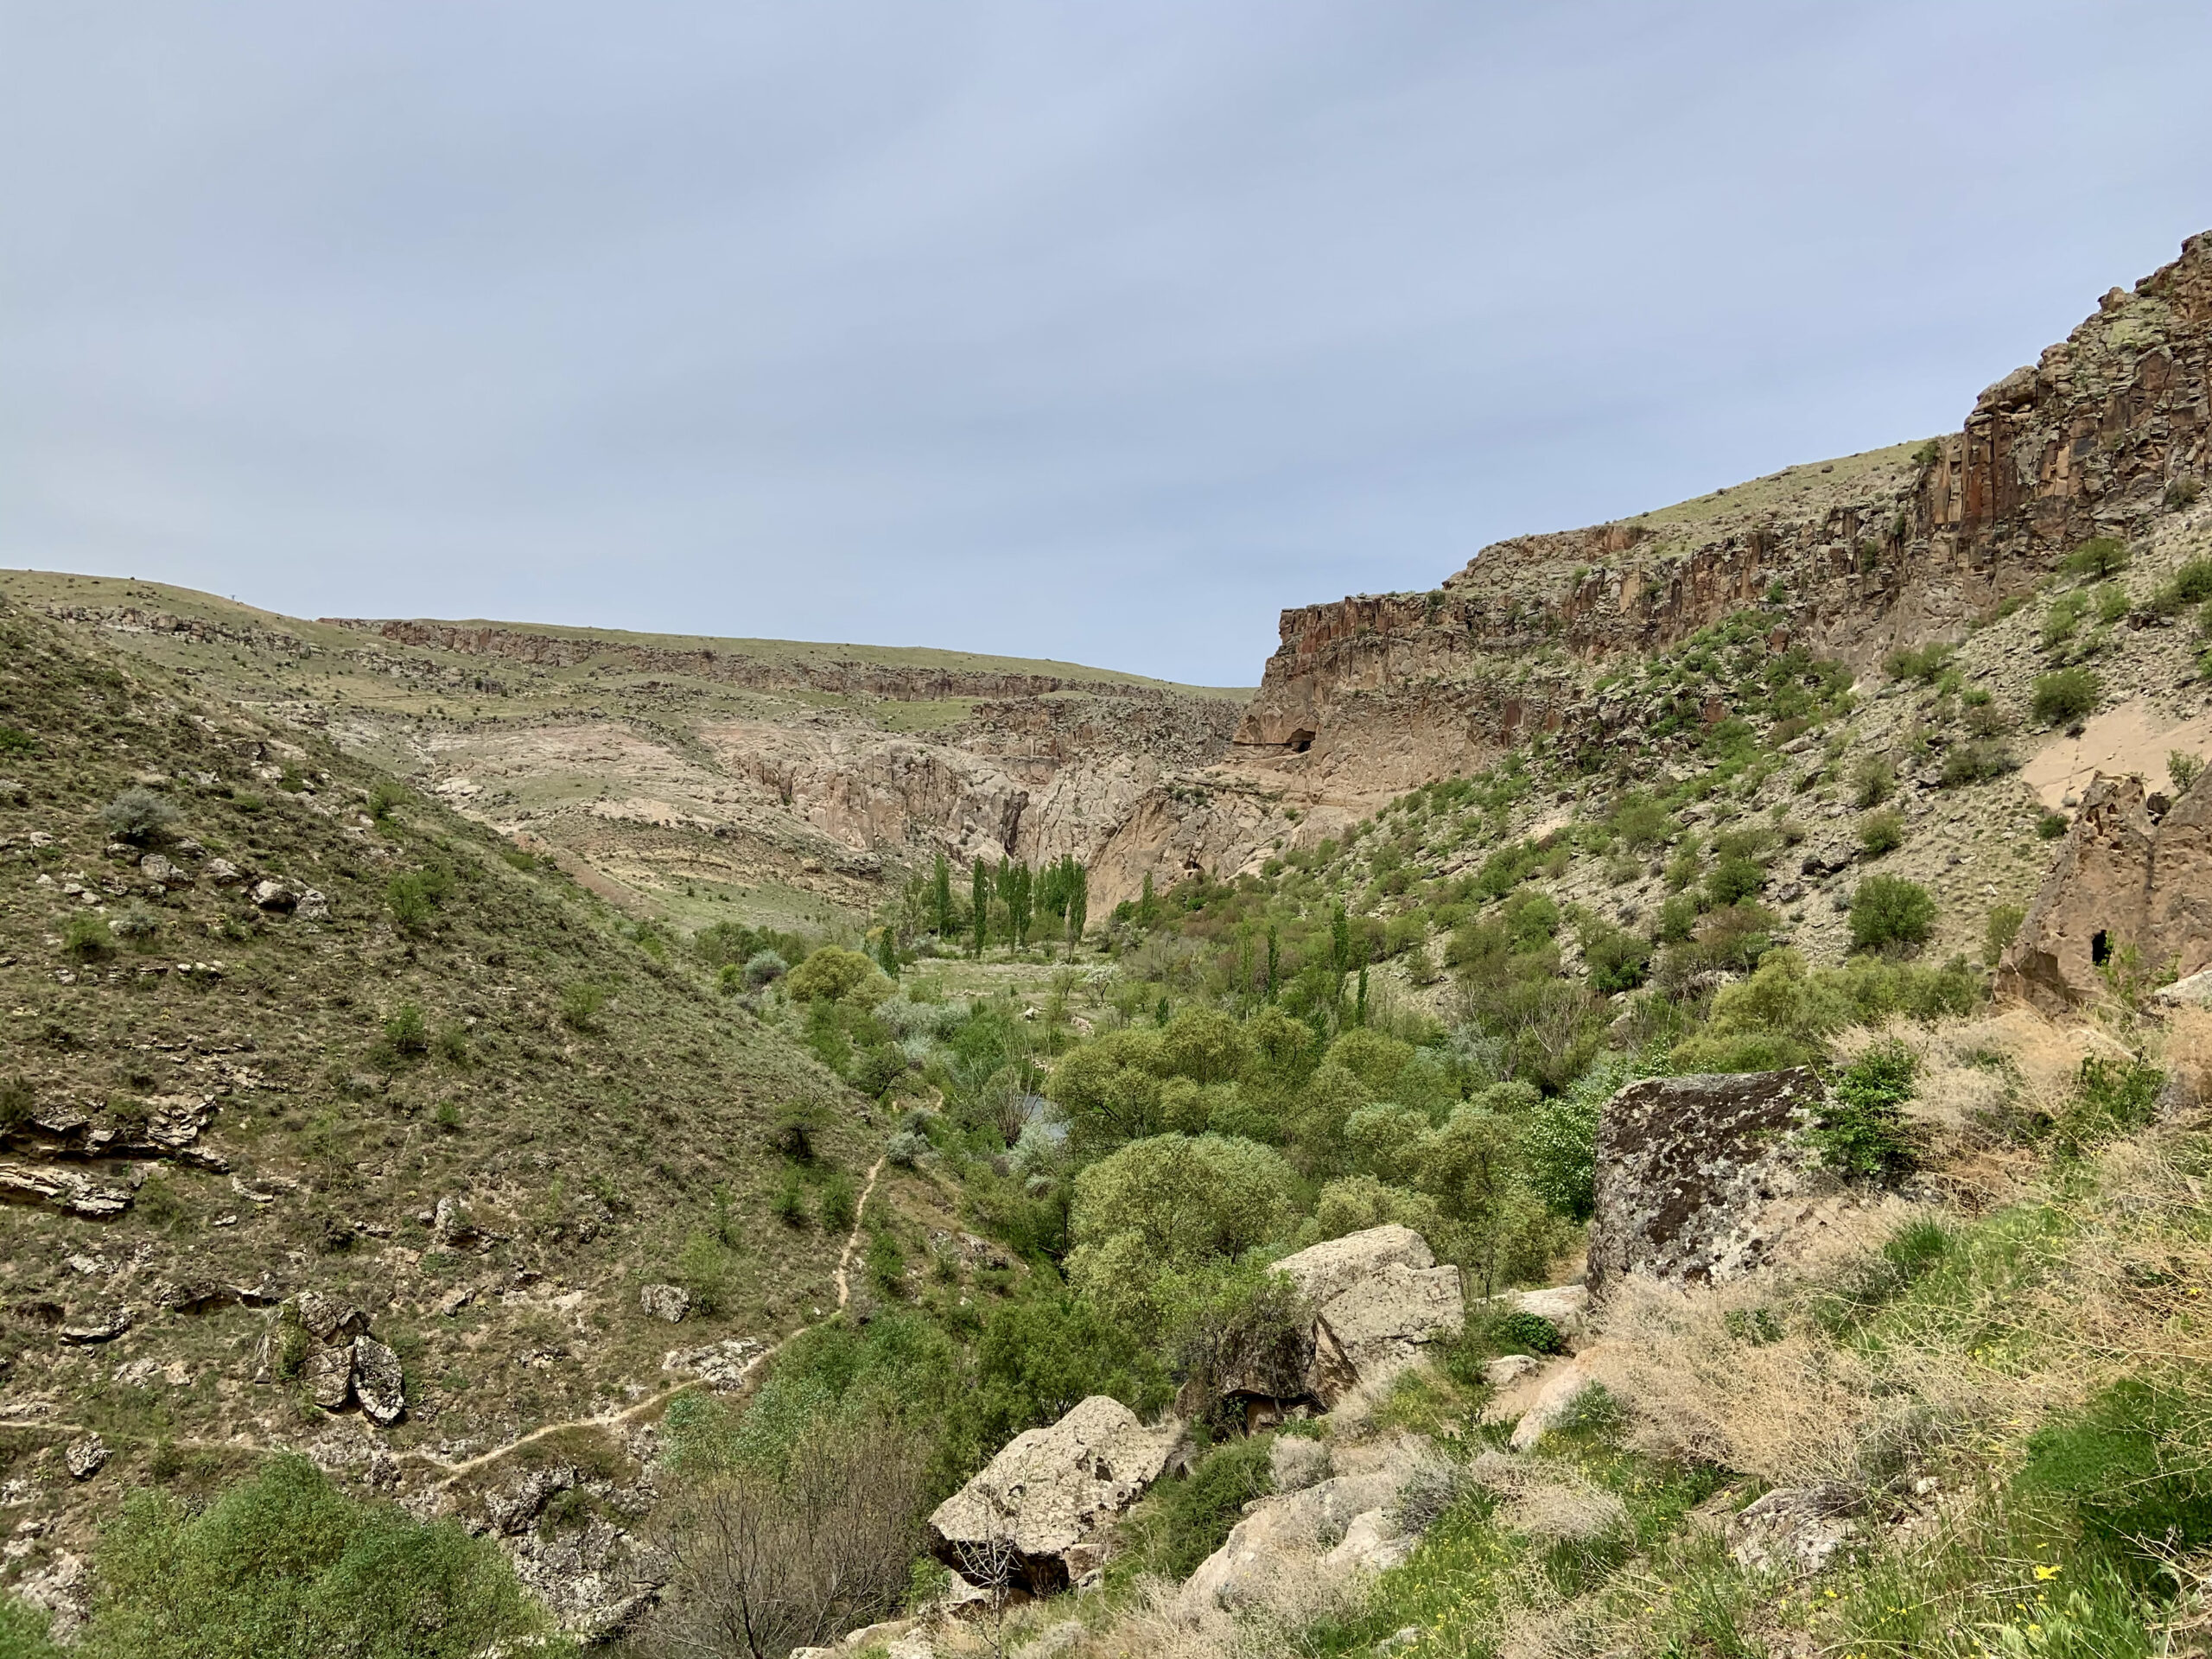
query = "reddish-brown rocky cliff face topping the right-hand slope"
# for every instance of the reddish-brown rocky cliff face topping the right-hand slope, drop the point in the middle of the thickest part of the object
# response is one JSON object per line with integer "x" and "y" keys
{"x": 1384, "y": 691}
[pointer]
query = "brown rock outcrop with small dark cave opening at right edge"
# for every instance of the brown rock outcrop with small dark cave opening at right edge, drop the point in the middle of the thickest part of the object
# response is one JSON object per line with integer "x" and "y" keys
{"x": 2131, "y": 890}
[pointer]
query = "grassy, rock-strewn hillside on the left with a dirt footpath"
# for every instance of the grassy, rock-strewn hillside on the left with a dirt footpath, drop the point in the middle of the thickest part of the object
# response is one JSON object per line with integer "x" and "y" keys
{"x": 280, "y": 1027}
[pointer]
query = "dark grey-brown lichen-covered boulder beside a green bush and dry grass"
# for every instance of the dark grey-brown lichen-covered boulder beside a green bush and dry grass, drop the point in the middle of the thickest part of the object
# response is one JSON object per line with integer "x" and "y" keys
{"x": 1691, "y": 1176}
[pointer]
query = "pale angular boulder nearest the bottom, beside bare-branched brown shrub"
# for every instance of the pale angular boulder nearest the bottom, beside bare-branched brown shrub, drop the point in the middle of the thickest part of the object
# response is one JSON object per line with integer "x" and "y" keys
{"x": 1041, "y": 1510}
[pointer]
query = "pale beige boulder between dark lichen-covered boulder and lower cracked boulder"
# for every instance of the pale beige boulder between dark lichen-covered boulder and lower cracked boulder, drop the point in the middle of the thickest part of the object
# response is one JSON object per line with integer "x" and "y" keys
{"x": 1379, "y": 1300}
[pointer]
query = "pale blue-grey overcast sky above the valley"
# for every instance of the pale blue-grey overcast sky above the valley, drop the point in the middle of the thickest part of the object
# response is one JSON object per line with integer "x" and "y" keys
{"x": 1065, "y": 331}
